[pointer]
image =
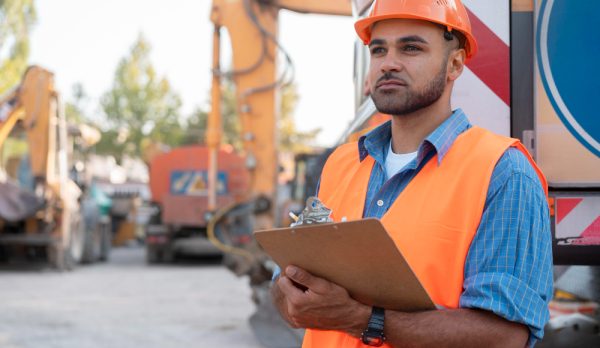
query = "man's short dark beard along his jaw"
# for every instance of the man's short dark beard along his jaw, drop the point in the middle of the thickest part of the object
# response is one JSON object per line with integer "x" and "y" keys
{"x": 398, "y": 103}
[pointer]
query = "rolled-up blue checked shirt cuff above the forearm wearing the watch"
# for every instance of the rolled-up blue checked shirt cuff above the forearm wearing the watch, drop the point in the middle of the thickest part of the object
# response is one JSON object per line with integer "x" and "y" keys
{"x": 508, "y": 297}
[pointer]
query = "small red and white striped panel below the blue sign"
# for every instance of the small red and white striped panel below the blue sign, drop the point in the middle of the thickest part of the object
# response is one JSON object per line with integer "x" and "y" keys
{"x": 578, "y": 221}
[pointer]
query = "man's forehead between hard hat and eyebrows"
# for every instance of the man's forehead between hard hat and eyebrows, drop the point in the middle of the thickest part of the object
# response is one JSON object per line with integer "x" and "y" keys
{"x": 401, "y": 27}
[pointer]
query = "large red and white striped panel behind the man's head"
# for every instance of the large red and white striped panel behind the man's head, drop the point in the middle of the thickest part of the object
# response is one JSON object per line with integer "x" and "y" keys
{"x": 483, "y": 90}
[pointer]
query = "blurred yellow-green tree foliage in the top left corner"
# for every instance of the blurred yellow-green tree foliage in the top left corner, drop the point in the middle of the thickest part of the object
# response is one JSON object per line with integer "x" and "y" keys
{"x": 16, "y": 19}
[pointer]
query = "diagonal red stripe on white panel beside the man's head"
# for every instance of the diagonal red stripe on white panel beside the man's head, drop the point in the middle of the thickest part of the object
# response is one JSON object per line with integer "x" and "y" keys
{"x": 491, "y": 64}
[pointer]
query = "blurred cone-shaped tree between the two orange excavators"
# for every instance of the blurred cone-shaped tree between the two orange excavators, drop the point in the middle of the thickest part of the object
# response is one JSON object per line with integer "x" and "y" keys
{"x": 139, "y": 105}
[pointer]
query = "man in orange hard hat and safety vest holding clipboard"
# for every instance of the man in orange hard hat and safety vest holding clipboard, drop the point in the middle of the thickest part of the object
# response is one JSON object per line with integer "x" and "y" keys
{"x": 466, "y": 207}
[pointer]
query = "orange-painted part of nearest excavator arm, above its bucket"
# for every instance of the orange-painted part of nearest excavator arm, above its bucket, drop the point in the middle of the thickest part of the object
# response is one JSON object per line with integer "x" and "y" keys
{"x": 252, "y": 28}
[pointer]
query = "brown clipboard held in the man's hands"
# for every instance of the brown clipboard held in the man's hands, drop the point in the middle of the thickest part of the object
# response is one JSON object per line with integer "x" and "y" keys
{"x": 358, "y": 255}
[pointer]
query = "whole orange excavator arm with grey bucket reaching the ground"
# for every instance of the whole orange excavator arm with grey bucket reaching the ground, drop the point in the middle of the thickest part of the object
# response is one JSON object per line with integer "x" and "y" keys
{"x": 252, "y": 26}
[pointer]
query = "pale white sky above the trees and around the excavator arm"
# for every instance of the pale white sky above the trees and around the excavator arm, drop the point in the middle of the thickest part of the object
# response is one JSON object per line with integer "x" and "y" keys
{"x": 82, "y": 41}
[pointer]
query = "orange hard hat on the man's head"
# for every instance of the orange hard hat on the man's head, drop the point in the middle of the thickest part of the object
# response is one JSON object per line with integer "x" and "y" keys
{"x": 449, "y": 13}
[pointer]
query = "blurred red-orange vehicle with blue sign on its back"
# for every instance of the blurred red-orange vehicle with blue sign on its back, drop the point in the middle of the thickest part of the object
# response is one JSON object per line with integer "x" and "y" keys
{"x": 179, "y": 187}
